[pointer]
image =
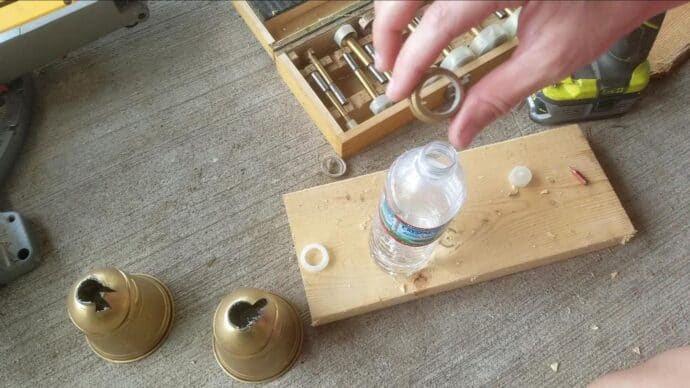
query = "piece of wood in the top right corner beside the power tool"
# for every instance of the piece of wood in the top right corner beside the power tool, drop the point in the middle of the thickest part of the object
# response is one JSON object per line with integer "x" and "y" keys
{"x": 672, "y": 46}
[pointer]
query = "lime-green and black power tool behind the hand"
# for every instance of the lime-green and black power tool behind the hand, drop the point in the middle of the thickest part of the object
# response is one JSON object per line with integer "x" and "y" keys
{"x": 607, "y": 87}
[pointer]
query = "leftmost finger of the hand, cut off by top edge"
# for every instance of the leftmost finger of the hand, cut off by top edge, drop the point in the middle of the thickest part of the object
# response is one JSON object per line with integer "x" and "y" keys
{"x": 390, "y": 21}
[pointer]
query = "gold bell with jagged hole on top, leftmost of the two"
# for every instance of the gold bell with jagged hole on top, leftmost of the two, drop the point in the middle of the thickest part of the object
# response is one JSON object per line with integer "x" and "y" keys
{"x": 124, "y": 317}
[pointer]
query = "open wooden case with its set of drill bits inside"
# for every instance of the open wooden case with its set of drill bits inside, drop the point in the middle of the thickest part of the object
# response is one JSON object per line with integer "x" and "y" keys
{"x": 323, "y": 51}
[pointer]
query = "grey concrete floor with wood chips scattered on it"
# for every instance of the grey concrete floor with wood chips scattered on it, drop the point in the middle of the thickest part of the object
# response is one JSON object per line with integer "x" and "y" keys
{"x": 165, "y": 148}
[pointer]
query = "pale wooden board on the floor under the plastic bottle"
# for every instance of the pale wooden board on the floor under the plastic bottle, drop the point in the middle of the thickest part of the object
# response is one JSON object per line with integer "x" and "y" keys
{"x": 494, "y": 235}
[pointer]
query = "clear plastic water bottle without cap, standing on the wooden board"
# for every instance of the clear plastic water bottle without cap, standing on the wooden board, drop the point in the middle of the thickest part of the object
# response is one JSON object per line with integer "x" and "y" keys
{"x": 424, "y": 190}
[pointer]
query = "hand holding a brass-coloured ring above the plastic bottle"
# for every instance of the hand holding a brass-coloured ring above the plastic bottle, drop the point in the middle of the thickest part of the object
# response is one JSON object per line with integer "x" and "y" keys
{"x": 556, "y": 38}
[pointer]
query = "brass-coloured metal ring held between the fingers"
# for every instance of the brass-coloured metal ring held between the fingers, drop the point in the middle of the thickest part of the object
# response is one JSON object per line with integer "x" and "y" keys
{"x": 425, "y": 114}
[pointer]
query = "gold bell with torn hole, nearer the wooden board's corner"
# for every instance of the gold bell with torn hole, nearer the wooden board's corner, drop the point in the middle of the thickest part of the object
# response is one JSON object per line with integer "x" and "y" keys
{"x": 257, "y": 335}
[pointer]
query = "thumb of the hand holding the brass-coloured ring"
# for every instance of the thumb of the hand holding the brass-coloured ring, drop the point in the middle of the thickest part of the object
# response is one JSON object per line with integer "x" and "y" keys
{"x": 498, "y": 92}
